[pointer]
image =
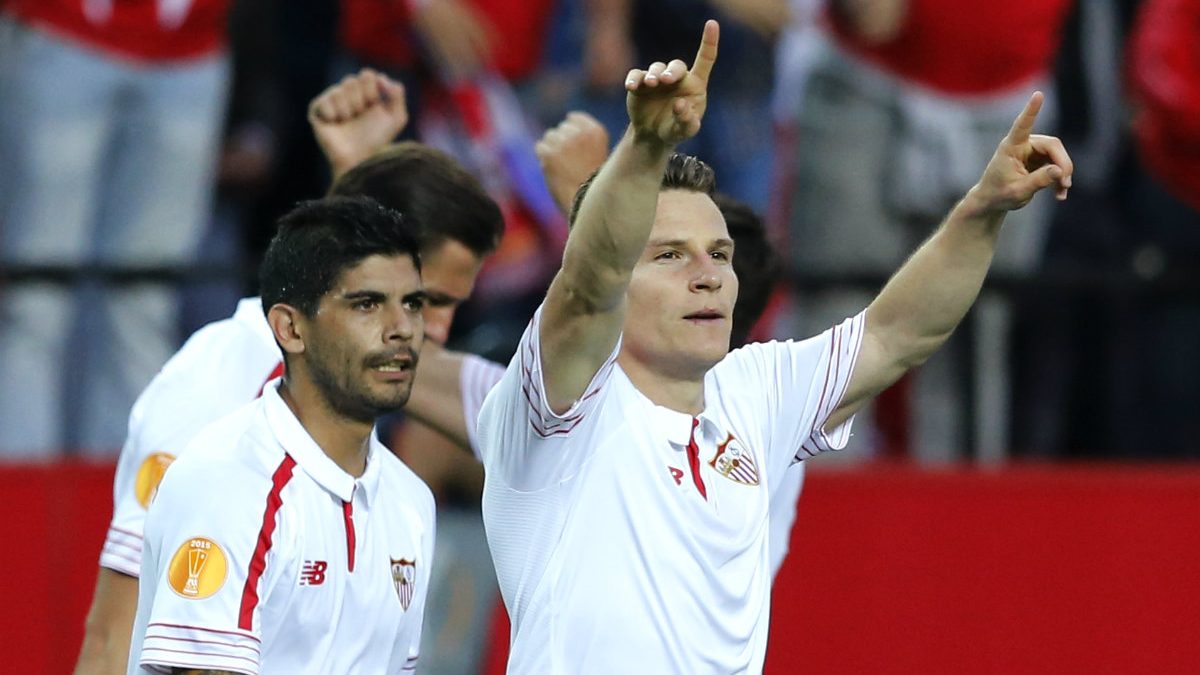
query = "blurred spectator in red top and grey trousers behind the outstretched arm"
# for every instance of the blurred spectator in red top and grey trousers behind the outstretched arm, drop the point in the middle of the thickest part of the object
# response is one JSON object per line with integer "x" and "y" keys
{"x": 899, "y": 114}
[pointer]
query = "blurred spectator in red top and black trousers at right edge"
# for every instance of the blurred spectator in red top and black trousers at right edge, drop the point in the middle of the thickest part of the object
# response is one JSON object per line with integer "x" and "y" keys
{"x": 1165, "y": 74}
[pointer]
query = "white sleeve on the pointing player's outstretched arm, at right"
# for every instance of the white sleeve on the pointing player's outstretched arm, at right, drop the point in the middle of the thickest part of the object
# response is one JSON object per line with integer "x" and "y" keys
{"x": 795, "y": 387}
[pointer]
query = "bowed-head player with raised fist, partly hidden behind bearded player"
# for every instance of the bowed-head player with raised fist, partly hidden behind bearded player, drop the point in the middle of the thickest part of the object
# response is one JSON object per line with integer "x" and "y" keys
{"x": 225, "y": 366}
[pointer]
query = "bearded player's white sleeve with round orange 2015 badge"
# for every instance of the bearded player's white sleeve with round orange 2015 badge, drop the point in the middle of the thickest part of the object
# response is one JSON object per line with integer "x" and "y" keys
{"x": 211, "y": 568}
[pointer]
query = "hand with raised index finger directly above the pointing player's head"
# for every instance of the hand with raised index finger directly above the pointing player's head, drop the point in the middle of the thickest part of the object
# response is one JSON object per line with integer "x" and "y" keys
{"x": 667, "y": 103}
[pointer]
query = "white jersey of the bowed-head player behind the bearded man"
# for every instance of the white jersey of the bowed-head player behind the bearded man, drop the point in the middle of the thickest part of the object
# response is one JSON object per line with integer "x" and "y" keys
{"x": 220, "y": 369}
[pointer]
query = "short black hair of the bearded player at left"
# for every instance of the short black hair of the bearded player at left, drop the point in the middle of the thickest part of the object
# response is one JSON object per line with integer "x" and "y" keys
{"x": 320, "y": 240}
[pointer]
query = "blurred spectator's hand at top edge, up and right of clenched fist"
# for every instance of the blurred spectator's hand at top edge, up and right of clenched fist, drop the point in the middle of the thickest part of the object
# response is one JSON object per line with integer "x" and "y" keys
{"x": 458, "y": 35}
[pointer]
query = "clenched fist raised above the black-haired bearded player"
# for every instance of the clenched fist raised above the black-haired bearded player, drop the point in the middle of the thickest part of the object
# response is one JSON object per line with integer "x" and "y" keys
{"x": 357, "y": 117}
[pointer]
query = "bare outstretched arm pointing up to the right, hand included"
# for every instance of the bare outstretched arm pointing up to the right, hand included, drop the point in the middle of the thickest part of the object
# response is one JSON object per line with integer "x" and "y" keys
{"x": 933, "y": 291}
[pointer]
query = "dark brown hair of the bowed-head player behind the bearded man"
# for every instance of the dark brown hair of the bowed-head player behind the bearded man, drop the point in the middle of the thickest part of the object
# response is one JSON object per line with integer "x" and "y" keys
{"x": 440, "y": 200}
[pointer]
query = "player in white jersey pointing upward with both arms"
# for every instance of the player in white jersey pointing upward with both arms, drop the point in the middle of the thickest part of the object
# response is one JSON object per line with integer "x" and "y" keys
{"x": 631, "y": 459}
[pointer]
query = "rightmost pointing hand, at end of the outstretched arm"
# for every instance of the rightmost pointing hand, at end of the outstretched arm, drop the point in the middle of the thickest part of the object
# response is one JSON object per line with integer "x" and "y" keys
{"x": 1024, "y": 164}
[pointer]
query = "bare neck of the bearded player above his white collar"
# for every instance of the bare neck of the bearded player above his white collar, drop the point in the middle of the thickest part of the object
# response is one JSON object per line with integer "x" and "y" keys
{"x": 346, "y": 441}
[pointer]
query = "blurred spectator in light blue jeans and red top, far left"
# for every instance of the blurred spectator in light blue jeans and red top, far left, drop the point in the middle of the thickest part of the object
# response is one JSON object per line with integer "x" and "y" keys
{"x": 110, "y": 127}
